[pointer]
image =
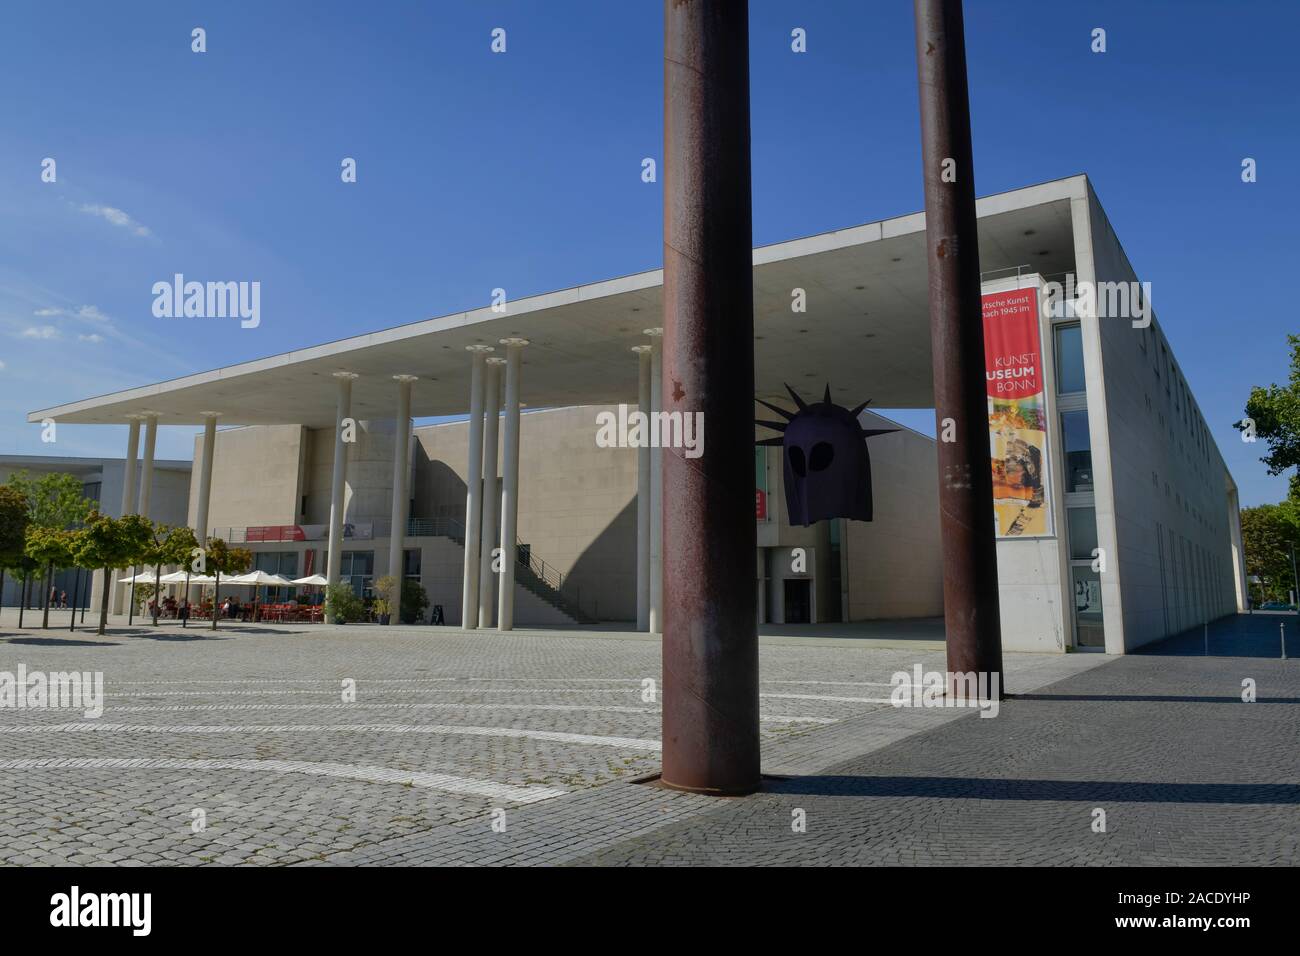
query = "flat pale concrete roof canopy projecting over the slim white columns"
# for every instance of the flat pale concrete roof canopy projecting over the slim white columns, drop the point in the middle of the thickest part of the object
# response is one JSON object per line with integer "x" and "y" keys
{"x": 866, "y": 332}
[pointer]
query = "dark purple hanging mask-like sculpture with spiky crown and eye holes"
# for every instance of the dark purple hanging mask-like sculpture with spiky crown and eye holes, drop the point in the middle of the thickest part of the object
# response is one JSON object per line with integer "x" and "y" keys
{"x": 827, "y": 466}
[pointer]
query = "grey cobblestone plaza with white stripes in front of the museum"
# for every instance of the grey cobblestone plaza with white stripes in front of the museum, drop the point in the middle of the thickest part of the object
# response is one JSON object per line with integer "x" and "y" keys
{"x": 536, "y": 747}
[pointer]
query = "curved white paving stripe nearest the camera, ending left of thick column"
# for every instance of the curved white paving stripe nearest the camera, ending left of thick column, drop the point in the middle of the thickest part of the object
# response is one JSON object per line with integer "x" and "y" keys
{"x": 530, "y": 794}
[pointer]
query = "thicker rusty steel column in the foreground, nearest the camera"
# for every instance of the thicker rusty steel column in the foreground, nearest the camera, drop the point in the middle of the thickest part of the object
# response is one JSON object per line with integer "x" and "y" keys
{"x": 710, "y": 628}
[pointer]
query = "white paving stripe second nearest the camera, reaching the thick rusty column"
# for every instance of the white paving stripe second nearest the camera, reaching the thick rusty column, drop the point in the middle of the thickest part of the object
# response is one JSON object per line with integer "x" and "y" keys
{"x": 448, "y": 730}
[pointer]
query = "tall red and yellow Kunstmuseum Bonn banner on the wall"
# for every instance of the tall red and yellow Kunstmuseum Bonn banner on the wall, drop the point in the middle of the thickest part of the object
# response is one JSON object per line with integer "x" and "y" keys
{"x": 1017, "y": 414}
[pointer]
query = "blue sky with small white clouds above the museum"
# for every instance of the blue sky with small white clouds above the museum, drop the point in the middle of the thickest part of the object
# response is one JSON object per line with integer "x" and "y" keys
{"x": 523, "y": 170}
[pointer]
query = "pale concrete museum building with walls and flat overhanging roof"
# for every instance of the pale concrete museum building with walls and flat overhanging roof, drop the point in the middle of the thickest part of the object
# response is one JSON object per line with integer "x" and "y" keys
{"x": 1145, "y": 538}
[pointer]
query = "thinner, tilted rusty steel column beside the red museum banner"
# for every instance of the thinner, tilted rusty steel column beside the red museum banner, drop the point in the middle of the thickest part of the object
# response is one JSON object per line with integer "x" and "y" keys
{"x": 957, "y": 348}
